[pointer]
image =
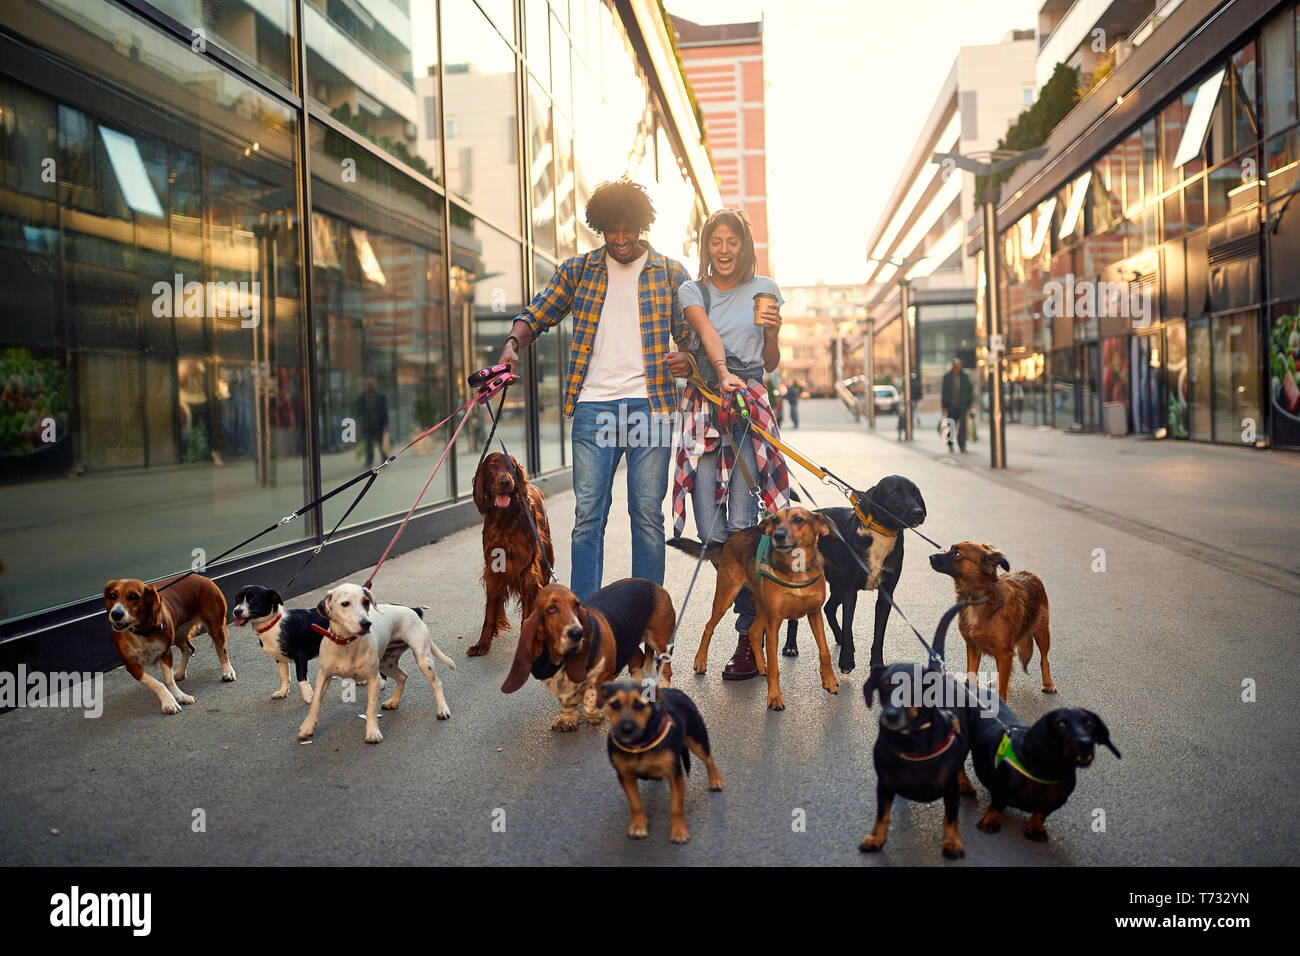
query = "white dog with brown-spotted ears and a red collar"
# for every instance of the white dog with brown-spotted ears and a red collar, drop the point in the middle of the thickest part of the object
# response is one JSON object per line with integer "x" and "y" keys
{"x": 365, "y": 641}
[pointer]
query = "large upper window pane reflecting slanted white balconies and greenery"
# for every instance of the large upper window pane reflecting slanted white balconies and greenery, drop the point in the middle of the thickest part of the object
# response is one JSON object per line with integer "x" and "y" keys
{"x": 375, "y": 70}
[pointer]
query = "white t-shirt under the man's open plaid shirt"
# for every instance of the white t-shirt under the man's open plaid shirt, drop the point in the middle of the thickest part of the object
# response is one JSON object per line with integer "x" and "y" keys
{"x": 618, "y": 365}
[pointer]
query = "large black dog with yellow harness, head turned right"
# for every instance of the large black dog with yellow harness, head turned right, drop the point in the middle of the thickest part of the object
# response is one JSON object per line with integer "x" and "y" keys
{"x": 891, "y": 507}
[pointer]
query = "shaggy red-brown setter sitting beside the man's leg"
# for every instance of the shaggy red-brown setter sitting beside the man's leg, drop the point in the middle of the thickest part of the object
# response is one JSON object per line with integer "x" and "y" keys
{"x": 513, "y": 564}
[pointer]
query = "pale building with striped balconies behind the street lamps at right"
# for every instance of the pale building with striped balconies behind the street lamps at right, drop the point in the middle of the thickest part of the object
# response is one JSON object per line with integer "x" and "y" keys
{"x": 926, "y": 219}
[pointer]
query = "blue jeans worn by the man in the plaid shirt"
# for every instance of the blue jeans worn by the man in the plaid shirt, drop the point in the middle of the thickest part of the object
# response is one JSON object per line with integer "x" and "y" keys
{"x": 604, "y": 432}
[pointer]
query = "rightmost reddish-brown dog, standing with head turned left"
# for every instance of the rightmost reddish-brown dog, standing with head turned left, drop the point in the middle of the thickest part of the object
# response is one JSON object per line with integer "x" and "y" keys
{"x": 1007, "y": 613}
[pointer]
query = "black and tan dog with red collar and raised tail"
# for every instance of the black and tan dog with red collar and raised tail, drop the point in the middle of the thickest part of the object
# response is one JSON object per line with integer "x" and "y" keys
{"x": 921, "y": 749}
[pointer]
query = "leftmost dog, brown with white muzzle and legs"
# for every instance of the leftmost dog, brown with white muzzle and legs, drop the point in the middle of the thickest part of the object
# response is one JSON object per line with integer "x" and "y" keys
{"x": 148, "y": 624}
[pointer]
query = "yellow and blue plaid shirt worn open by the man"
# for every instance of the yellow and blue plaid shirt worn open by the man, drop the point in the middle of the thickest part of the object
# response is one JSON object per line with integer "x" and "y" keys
{"x": 579, "y": 287}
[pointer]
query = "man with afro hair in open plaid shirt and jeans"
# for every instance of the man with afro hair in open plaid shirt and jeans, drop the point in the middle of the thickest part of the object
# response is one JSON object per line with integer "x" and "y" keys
{"x": 619, "y": 392}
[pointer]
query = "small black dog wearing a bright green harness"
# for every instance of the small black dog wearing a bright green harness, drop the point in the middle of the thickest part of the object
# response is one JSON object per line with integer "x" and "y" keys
{"x": 1033, "y": 768}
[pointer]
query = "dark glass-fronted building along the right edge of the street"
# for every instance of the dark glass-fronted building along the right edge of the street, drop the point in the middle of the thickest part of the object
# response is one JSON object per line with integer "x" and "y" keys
{"x": 1147, "y": 262}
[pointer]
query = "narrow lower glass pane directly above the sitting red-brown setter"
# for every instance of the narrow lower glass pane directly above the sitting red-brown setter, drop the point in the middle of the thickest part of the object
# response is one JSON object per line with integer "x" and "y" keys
{"x": 487, "y": 295}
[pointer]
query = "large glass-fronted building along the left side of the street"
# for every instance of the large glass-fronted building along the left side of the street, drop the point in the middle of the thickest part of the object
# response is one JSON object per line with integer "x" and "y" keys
{"x": 231, "y": 235}
